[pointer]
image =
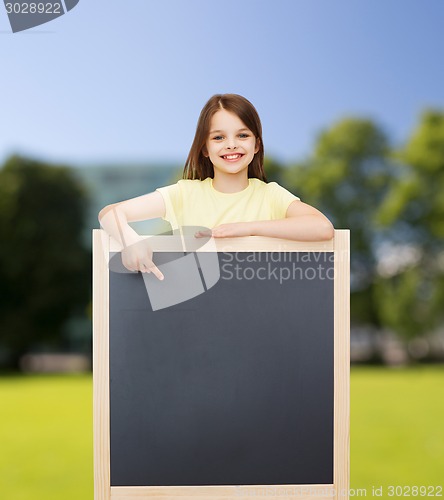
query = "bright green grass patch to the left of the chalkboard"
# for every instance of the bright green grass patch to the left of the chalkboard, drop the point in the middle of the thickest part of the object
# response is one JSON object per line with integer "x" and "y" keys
{"x": 46, "y": 438}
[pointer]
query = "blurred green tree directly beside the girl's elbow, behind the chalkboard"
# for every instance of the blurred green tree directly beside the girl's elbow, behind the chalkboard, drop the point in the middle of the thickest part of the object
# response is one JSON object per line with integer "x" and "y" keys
{"x": 347, "y": 177}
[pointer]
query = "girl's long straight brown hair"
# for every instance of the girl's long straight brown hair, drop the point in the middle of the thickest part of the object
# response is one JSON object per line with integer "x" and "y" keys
{"x": 199, "y": 166}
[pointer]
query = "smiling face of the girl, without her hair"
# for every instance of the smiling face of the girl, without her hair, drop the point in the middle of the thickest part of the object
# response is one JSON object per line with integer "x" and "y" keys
{"x": 230, "y": 146}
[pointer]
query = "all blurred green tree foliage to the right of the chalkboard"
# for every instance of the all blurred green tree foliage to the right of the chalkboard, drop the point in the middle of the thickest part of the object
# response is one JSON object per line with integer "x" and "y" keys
{"x": 386, "y": 198}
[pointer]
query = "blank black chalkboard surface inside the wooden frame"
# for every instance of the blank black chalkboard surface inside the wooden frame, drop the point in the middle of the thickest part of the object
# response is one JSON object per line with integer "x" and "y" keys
{"x": 235, "y": 386}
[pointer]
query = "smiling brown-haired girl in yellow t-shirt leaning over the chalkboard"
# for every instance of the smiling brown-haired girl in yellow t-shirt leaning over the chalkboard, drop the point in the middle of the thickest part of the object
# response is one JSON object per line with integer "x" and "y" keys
{"x": 223, "y": 188}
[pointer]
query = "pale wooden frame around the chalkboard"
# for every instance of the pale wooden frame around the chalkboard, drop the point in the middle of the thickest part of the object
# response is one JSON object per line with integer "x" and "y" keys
{"x": 102, "y": 245}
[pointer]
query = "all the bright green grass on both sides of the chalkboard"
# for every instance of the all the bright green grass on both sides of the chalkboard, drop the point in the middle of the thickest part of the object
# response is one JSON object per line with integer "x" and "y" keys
{"x": 397, "y": 433}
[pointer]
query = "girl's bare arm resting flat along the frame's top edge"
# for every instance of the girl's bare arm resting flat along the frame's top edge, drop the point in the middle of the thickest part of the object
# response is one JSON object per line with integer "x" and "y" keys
{"x": 302, "y": 222}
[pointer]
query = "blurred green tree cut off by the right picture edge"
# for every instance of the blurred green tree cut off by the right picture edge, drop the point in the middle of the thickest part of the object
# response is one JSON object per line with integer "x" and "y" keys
{"x": 414, "y": 209}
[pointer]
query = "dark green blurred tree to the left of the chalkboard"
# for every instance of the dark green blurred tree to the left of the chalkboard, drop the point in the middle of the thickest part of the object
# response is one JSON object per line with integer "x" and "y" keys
{"x": 44, "y": 269}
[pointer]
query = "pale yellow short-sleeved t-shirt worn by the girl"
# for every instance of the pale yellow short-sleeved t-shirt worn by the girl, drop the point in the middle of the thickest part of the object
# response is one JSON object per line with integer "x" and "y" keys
{"x": 197, "y": 203}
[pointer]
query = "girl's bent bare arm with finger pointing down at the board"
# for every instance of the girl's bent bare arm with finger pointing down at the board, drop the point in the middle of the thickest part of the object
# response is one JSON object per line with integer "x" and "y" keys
{"x": 136, "y": 252}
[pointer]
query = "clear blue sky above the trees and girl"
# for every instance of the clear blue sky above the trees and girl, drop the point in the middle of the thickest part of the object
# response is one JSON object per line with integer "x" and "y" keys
{"x": 114, "y": 81}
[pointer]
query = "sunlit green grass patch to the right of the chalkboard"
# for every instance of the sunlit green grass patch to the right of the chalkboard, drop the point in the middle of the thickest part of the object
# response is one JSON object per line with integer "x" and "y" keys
{"x": 397, "y": 427}
